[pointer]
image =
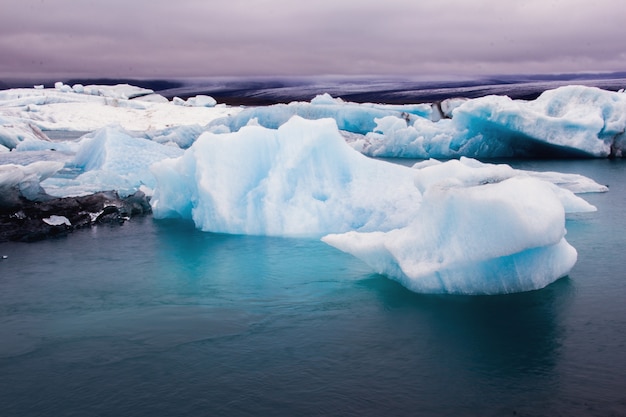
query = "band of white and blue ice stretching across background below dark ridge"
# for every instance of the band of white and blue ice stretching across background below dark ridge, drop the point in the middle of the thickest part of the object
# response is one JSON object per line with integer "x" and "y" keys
{"x": 570, "y": 121}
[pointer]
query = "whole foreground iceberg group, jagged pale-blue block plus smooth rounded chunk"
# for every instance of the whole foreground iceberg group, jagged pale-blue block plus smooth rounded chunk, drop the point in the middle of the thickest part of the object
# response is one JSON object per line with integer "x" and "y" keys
{"x": 455, "y": 227}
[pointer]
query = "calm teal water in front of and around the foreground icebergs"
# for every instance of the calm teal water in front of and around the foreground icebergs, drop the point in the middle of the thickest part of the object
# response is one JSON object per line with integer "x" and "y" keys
{"x": 156, "y": 318}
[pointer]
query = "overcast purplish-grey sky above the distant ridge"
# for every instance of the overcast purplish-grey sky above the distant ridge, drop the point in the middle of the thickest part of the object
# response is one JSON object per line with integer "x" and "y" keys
{"x": 186, "y": 38}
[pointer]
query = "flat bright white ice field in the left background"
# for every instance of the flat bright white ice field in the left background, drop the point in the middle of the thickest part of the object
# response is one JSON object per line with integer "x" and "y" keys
{"x": 88, "y": 108}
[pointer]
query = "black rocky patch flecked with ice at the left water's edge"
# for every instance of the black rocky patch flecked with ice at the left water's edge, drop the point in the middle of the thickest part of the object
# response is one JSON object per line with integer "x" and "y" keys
{"x": 25, "y": 220}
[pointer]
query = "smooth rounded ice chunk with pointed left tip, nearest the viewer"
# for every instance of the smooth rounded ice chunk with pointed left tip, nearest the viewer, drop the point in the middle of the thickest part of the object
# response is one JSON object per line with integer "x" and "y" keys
{"x": 483, "y": 239}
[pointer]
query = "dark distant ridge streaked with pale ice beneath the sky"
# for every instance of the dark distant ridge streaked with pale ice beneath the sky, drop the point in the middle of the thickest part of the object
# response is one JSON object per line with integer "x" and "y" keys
{"x": 263, "y": 91}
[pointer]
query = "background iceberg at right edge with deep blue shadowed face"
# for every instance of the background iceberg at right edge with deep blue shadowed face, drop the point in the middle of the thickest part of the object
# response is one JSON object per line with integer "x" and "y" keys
{"x": 572, "y": 121}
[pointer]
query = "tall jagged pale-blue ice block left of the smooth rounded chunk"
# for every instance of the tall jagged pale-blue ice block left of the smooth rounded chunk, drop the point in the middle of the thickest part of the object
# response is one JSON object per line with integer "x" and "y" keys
{"x": 300, "y": 179}
